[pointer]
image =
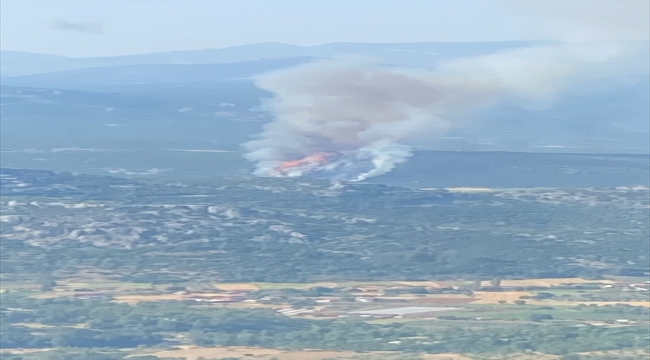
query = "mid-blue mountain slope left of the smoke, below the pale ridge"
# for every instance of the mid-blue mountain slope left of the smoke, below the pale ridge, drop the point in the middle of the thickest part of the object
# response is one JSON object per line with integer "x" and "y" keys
{"x": 142, "y": 118}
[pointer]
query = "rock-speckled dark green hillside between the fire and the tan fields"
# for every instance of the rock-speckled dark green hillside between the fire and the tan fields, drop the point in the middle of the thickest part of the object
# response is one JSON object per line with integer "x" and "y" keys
{"x": 294, "y": 231}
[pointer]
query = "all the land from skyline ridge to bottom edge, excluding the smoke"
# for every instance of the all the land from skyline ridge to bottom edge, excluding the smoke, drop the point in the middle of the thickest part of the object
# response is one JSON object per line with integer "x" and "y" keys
{"x": 131, "y": 227}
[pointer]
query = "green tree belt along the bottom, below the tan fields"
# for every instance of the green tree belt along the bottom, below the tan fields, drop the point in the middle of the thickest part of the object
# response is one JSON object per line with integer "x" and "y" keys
{"x": 119, "y": 325}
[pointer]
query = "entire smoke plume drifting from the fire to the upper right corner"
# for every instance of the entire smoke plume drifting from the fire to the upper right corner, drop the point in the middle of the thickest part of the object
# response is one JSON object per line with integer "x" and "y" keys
{"x": 352, "y": 120}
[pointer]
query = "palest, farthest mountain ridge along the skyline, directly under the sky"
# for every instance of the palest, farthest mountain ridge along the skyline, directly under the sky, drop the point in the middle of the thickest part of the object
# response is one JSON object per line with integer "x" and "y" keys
{"x": 411, "y": 54}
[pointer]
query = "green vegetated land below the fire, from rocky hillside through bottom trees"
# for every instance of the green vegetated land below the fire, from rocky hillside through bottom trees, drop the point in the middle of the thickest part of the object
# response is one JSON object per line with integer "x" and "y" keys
{"x": 65, "y": 234}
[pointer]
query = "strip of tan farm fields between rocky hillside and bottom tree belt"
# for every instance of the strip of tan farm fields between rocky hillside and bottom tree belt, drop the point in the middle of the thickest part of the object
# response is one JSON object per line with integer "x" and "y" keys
{"x": 125, "y": 292}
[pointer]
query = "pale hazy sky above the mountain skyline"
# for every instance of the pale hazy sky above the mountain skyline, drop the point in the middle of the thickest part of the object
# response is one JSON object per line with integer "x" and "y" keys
{"x": 116, "y": 27}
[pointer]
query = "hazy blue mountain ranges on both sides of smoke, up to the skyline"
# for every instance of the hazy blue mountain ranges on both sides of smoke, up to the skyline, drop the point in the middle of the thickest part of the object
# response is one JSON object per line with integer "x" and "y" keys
{"x": 204, "y": 96}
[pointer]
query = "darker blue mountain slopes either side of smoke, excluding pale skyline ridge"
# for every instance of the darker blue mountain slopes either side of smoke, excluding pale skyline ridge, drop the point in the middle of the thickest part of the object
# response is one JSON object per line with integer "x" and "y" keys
{"x": 605, "y": 115}
